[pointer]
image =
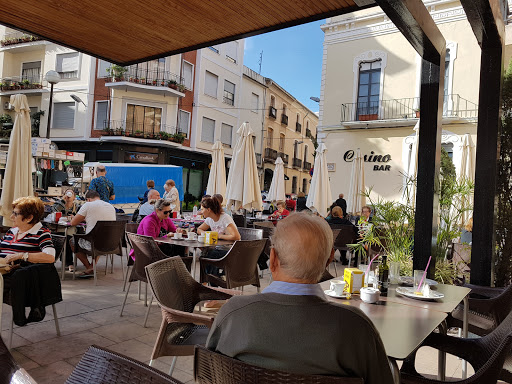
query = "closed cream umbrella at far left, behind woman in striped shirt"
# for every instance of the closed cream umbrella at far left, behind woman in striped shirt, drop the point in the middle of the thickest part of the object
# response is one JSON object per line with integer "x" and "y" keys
{"x": 18, "y": 171}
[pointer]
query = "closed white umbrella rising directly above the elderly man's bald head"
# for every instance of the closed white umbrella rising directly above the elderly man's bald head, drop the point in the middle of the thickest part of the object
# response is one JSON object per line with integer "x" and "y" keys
{"x": 319, "y": 196}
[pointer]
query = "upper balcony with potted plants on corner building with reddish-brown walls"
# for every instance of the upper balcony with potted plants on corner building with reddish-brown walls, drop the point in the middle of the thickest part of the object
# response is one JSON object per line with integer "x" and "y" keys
{"x": 151, "y": 80}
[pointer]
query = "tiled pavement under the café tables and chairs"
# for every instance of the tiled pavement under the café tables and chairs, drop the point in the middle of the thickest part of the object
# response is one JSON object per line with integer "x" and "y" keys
{"x": 90, "y": 315}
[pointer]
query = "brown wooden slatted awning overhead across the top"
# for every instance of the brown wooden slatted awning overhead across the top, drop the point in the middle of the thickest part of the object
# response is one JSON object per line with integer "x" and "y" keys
{"x": 133, "y": 31}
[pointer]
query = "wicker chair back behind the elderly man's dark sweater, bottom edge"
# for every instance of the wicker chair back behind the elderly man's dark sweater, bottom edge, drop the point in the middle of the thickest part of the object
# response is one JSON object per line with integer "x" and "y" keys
{"x": 214, "y": 368}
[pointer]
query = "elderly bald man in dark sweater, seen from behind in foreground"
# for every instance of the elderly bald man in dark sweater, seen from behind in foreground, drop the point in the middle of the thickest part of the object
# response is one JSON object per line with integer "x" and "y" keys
{"x": 291, "y": 326}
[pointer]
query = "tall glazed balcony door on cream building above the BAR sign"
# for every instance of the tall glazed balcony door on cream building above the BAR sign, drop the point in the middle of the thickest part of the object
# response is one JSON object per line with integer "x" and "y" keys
{"x": 368, "y": 92}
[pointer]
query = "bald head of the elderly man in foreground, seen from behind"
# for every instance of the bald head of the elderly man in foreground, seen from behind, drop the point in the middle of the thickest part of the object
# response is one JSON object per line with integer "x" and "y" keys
{"x": 303, "y": 244}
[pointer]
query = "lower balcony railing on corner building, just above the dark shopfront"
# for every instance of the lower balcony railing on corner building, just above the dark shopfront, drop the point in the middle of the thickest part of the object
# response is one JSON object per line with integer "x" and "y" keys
{"x": 144, "y": 130}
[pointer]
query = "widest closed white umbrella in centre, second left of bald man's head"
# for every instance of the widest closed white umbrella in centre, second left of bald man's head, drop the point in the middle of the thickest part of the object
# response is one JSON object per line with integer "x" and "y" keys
{"x": 243, "y": 188}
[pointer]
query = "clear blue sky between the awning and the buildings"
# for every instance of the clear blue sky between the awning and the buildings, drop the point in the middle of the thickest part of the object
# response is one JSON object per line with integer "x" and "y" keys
{"x": 292, "y": 57}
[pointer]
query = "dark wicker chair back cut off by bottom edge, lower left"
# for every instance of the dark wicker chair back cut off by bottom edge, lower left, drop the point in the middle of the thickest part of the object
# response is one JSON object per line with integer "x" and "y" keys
{"x": 100, "y": 365}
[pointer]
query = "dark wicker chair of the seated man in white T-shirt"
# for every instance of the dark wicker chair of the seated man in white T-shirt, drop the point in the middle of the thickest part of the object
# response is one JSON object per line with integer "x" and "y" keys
{"x": 105, "y": 238}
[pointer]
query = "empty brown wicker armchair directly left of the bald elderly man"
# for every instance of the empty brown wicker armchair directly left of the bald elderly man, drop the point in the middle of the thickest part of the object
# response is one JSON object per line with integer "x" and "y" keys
{"x": 177, "y": 293}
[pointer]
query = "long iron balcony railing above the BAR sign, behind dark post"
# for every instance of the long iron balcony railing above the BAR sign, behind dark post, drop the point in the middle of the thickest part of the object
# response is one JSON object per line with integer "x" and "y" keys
{"x": 454, "y": 106}
